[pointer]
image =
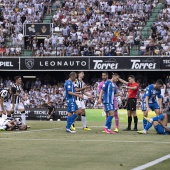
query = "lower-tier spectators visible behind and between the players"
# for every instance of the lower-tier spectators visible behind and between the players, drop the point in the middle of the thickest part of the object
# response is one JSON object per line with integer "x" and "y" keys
{"x": 39, "y": 95}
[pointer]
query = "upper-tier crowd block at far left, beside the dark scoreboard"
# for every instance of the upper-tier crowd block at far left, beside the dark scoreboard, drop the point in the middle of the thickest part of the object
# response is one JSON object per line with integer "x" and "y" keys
{"x": 15, "y": 13}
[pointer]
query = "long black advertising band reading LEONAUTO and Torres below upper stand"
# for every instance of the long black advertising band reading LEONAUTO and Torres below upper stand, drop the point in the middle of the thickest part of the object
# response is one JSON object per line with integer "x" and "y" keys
{"x": 136, "y": 63}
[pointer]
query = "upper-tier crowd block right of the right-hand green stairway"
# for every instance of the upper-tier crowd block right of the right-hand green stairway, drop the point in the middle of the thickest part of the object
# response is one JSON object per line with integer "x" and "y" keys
{"x": 159, "y": 41}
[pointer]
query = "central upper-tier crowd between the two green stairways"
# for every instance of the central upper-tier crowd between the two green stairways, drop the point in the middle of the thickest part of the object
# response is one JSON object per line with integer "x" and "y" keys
{"x": 96, "y": 27}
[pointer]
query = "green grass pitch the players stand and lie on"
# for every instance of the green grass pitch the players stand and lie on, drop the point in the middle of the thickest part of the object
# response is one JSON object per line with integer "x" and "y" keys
{"x": 46, "y": 146}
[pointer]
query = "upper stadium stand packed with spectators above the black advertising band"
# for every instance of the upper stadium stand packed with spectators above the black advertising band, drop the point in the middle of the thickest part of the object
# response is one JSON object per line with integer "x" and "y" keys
{"x": 87, "y": 28}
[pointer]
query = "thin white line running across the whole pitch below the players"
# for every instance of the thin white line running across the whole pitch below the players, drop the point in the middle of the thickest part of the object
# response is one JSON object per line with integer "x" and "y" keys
{"x": 67, "y": 140}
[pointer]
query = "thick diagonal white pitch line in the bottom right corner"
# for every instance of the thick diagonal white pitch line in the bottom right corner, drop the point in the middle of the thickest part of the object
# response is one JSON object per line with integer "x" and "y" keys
{"x": 152, "y": 163}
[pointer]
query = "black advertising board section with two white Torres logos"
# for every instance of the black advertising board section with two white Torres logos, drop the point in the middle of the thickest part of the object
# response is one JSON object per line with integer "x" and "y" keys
{"x": 125, "y": 63}
